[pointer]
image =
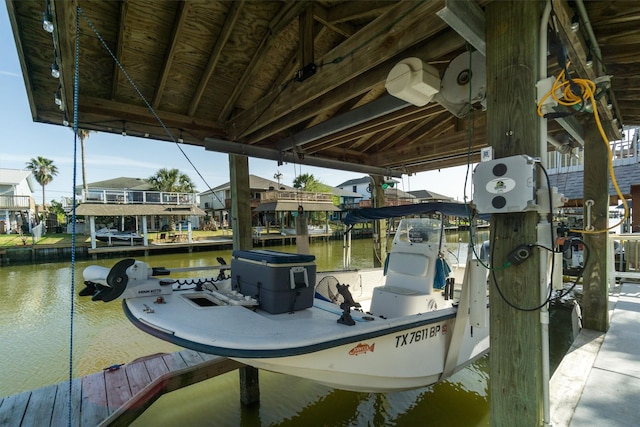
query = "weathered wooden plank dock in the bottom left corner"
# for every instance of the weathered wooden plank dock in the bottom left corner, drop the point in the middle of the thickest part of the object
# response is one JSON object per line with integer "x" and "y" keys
{"x": 112, "y": 397}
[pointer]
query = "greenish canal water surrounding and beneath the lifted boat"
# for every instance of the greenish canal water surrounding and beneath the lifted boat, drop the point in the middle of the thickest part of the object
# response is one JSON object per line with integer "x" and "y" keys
{"x": 34, "y": 344}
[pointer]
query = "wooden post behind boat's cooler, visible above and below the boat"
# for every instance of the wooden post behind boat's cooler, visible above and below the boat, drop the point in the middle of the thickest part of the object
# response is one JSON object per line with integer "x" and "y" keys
{"x": 241, "y": 223}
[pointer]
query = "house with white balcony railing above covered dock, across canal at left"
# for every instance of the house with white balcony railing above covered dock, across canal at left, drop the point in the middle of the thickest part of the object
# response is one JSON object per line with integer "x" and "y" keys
{"x": 129, "y": 204}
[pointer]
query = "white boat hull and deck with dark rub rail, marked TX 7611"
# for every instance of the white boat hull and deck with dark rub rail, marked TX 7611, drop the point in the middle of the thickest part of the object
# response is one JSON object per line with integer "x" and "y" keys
{"x": 379, "y": 355}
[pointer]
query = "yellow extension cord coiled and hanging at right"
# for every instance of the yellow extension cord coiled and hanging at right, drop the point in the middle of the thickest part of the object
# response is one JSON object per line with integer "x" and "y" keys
{"x": 570, "y": 99}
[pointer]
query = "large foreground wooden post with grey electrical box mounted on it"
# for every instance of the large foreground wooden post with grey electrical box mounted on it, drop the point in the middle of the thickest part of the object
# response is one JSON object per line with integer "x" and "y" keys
{"x": 513, "y": 128}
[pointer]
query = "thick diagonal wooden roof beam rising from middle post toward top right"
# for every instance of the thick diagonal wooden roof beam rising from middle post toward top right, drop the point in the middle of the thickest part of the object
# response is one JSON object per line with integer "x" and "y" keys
{"x": 414, "y": 22}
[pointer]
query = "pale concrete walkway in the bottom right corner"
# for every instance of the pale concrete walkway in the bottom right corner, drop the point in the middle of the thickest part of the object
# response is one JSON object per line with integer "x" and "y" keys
{"x": 598, "y": 381}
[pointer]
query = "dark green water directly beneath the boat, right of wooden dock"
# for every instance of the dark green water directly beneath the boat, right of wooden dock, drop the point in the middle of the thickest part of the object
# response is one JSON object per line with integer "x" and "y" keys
{"x": 290, "y": 401}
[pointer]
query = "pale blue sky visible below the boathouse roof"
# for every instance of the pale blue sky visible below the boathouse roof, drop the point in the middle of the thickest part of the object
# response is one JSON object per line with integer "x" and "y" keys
{"x": 111, "y": 156}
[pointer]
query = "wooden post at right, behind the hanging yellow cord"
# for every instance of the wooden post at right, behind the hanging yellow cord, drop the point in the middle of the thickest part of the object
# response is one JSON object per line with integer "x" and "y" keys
{"x": 595, "y": 302}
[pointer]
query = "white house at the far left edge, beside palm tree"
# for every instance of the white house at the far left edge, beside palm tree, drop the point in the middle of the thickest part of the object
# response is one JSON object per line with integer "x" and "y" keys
{"x": 17, "y": 206}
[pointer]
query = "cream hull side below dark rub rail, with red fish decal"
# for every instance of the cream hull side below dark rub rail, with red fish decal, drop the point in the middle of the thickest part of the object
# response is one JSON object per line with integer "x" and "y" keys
{"x": 371, "y": 371}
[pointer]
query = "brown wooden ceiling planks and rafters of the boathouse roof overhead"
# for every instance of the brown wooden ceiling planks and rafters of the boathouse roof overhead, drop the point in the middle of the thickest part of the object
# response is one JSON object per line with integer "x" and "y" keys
{"x": 224, "y": 70}
